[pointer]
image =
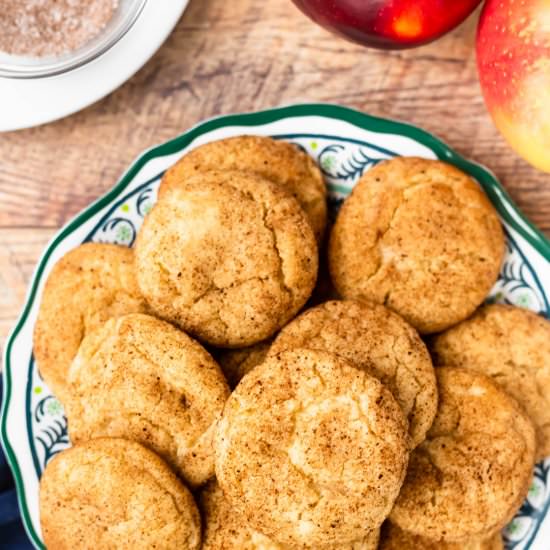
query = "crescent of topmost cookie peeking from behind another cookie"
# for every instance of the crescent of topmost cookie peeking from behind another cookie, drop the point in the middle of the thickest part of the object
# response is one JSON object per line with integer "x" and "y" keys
{"x": 278, "y": 161}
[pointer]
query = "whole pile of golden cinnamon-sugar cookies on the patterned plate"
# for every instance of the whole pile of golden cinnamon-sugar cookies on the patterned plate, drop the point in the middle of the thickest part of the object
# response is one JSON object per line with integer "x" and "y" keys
{"x": 213, "y": 403}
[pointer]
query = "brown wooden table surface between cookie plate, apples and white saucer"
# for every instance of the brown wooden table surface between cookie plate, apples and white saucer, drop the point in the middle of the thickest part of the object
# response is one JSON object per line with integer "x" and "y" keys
{"x": 226, "y": 57}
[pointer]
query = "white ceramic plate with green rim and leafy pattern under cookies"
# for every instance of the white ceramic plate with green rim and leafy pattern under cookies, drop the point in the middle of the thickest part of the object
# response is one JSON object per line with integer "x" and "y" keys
{"x": 345, "y": 143}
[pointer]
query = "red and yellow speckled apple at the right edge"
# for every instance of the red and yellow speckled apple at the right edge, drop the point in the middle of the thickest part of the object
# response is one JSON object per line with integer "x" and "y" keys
{"x": 513, "y": 57}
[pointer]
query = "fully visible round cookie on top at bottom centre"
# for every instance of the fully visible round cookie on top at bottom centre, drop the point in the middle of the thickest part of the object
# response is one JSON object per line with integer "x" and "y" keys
{"x": 310, "y": 450}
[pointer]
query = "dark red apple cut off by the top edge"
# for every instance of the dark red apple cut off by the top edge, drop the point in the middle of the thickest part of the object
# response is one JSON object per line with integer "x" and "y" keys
{"x": 389, "y": 24}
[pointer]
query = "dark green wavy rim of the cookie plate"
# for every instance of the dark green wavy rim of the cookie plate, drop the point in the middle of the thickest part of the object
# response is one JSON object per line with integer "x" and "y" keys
{"x": 490, "y": 184}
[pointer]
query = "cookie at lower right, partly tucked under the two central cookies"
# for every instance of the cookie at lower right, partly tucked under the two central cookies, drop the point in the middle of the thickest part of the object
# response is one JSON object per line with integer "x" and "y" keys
{"x": 470, "y": 476}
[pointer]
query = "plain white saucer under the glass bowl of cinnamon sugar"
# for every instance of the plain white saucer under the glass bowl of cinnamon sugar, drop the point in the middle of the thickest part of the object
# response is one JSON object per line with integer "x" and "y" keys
{"x": 26, "y": 103}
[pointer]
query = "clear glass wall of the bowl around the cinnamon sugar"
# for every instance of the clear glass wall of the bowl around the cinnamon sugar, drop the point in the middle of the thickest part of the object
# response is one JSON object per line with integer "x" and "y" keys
{"x": 18, "y": 66}
